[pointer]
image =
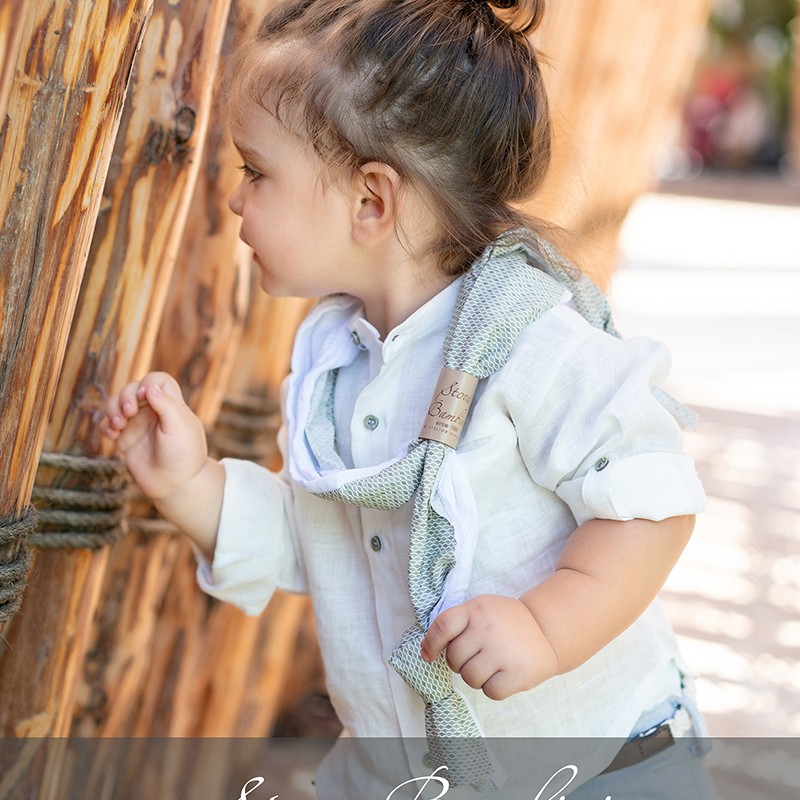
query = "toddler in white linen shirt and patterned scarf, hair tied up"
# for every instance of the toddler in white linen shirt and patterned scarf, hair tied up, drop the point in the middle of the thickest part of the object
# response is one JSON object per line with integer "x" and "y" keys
{"x": 484, "y": 487}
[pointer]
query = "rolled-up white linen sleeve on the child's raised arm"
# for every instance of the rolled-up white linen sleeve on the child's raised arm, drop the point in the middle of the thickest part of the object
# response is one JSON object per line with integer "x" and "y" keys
{"x": 255, "y": 551}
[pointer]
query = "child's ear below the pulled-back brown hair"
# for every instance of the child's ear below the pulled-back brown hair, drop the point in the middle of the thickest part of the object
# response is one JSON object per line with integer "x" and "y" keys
{"x": 375, "y": 201}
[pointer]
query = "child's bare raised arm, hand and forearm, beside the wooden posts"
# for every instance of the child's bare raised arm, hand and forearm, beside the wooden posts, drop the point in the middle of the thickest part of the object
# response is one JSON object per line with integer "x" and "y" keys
{"x": 164, "y": 447}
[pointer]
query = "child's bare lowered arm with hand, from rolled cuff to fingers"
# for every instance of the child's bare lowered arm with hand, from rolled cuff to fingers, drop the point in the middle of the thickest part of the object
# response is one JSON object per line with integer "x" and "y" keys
{"x": 608, "y": 574}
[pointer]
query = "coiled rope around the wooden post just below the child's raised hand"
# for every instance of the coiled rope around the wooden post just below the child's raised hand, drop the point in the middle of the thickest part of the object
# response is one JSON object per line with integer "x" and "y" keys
{"x": 88, "y": 516}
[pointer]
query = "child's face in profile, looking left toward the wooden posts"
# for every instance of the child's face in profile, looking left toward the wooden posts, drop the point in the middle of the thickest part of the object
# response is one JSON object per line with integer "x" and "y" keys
{"x": 299, "y": 230}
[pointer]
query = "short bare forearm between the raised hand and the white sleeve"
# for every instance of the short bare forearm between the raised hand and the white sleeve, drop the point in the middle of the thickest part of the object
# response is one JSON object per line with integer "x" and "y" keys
{"x": 196, "y": 508}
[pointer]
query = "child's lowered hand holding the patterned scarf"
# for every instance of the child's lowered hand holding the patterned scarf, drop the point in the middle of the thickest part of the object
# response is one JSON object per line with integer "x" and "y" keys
{"x": 494, "y": 643}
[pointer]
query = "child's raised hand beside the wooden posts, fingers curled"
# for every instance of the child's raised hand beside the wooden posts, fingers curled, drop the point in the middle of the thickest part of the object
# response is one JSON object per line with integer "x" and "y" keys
{"x": 159, "y": 437}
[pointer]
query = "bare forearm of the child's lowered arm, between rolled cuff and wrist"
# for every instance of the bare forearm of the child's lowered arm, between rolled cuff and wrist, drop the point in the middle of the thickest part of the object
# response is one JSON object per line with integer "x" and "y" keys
{"x": 607, "y": 575}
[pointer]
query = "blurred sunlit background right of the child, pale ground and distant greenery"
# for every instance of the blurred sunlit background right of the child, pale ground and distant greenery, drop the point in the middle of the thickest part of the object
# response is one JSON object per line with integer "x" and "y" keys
{"x": 710, "y": 263}
